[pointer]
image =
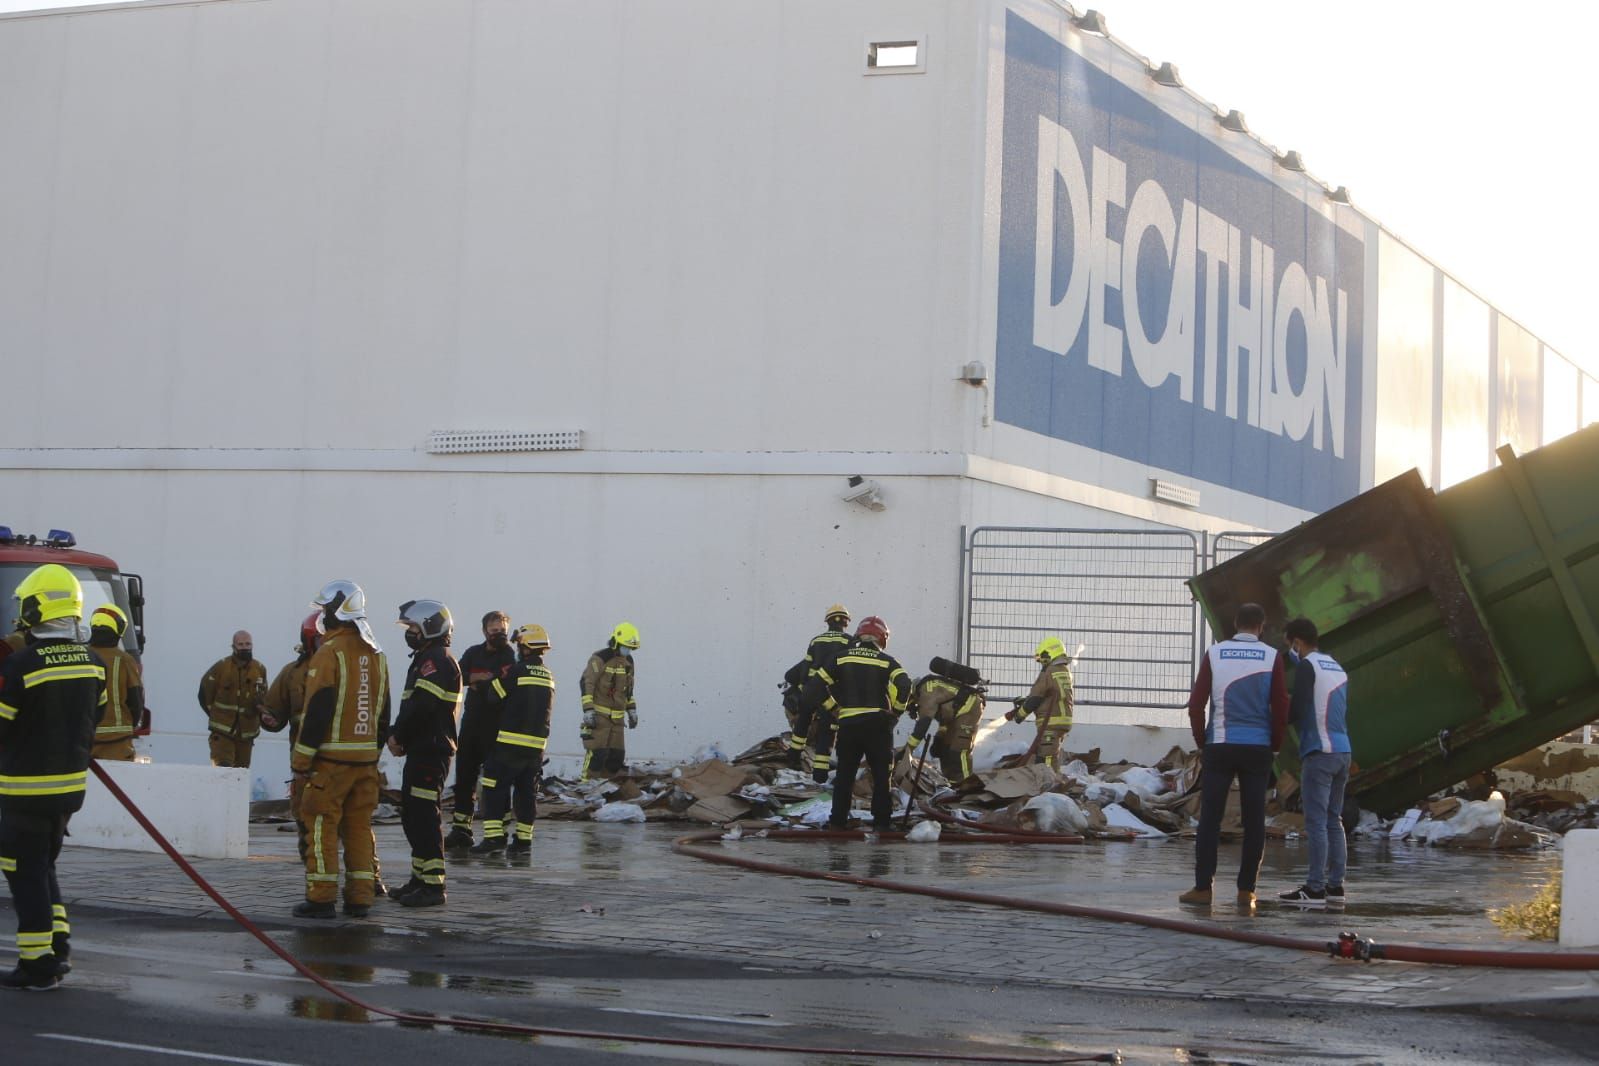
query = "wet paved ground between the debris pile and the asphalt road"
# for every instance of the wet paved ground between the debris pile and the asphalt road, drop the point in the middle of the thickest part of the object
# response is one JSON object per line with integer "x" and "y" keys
{"x": 624, "y": 888}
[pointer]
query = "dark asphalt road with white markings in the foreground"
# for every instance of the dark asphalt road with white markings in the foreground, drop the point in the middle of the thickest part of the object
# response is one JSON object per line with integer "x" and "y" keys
{"x": 167, "y": 990}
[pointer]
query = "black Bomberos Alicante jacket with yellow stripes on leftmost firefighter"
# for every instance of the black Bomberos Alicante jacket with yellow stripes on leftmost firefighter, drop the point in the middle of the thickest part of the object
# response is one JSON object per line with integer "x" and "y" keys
{"x": 52, "y": 698}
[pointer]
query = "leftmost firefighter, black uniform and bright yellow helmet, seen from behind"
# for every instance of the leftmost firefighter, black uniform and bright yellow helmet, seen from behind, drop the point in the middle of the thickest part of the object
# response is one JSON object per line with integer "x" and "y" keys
{"x": 52, "y": 698}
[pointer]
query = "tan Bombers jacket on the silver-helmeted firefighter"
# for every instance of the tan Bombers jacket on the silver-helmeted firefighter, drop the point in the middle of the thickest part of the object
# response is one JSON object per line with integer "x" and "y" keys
{"x": 346, "y": 702}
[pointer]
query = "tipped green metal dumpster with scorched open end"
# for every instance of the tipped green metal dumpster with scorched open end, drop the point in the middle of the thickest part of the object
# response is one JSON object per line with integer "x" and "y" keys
{"x": 1465, "y": 618}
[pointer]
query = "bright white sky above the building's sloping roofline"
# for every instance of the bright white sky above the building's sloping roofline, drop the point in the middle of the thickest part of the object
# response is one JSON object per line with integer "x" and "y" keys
{"x": 1462, "y": 125}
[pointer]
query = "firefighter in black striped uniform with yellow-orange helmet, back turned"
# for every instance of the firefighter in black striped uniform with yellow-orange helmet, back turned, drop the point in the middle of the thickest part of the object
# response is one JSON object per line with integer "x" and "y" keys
{"x": 511, "y": 776}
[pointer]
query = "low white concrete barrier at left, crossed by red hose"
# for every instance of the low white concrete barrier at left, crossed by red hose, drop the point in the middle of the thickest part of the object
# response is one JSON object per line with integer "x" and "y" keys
{"x": 202, "y": 809}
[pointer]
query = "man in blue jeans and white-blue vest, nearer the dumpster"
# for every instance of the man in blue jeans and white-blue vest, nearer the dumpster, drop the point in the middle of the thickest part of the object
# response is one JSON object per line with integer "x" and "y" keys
{"x": 1320, "y": 712}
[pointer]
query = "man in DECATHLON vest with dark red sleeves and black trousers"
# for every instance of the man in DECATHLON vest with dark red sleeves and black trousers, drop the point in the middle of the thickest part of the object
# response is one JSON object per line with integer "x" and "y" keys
{"x": 1243, "y": 682}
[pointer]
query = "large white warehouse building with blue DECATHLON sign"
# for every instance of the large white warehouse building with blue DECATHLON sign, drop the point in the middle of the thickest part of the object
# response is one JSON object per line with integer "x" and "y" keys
{"x": 597, "y": 311}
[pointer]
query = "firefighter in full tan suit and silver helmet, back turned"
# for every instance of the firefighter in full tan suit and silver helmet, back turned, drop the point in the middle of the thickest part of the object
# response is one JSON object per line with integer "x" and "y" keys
{"x": 337, "y": 754}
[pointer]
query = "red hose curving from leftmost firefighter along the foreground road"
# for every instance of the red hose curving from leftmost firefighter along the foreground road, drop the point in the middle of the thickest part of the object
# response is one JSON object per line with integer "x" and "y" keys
{"x": 524, "y": 1030}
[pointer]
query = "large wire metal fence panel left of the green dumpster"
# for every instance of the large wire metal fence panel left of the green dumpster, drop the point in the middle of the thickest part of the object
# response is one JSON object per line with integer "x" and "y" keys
{"x": 1119, "y": 592}
